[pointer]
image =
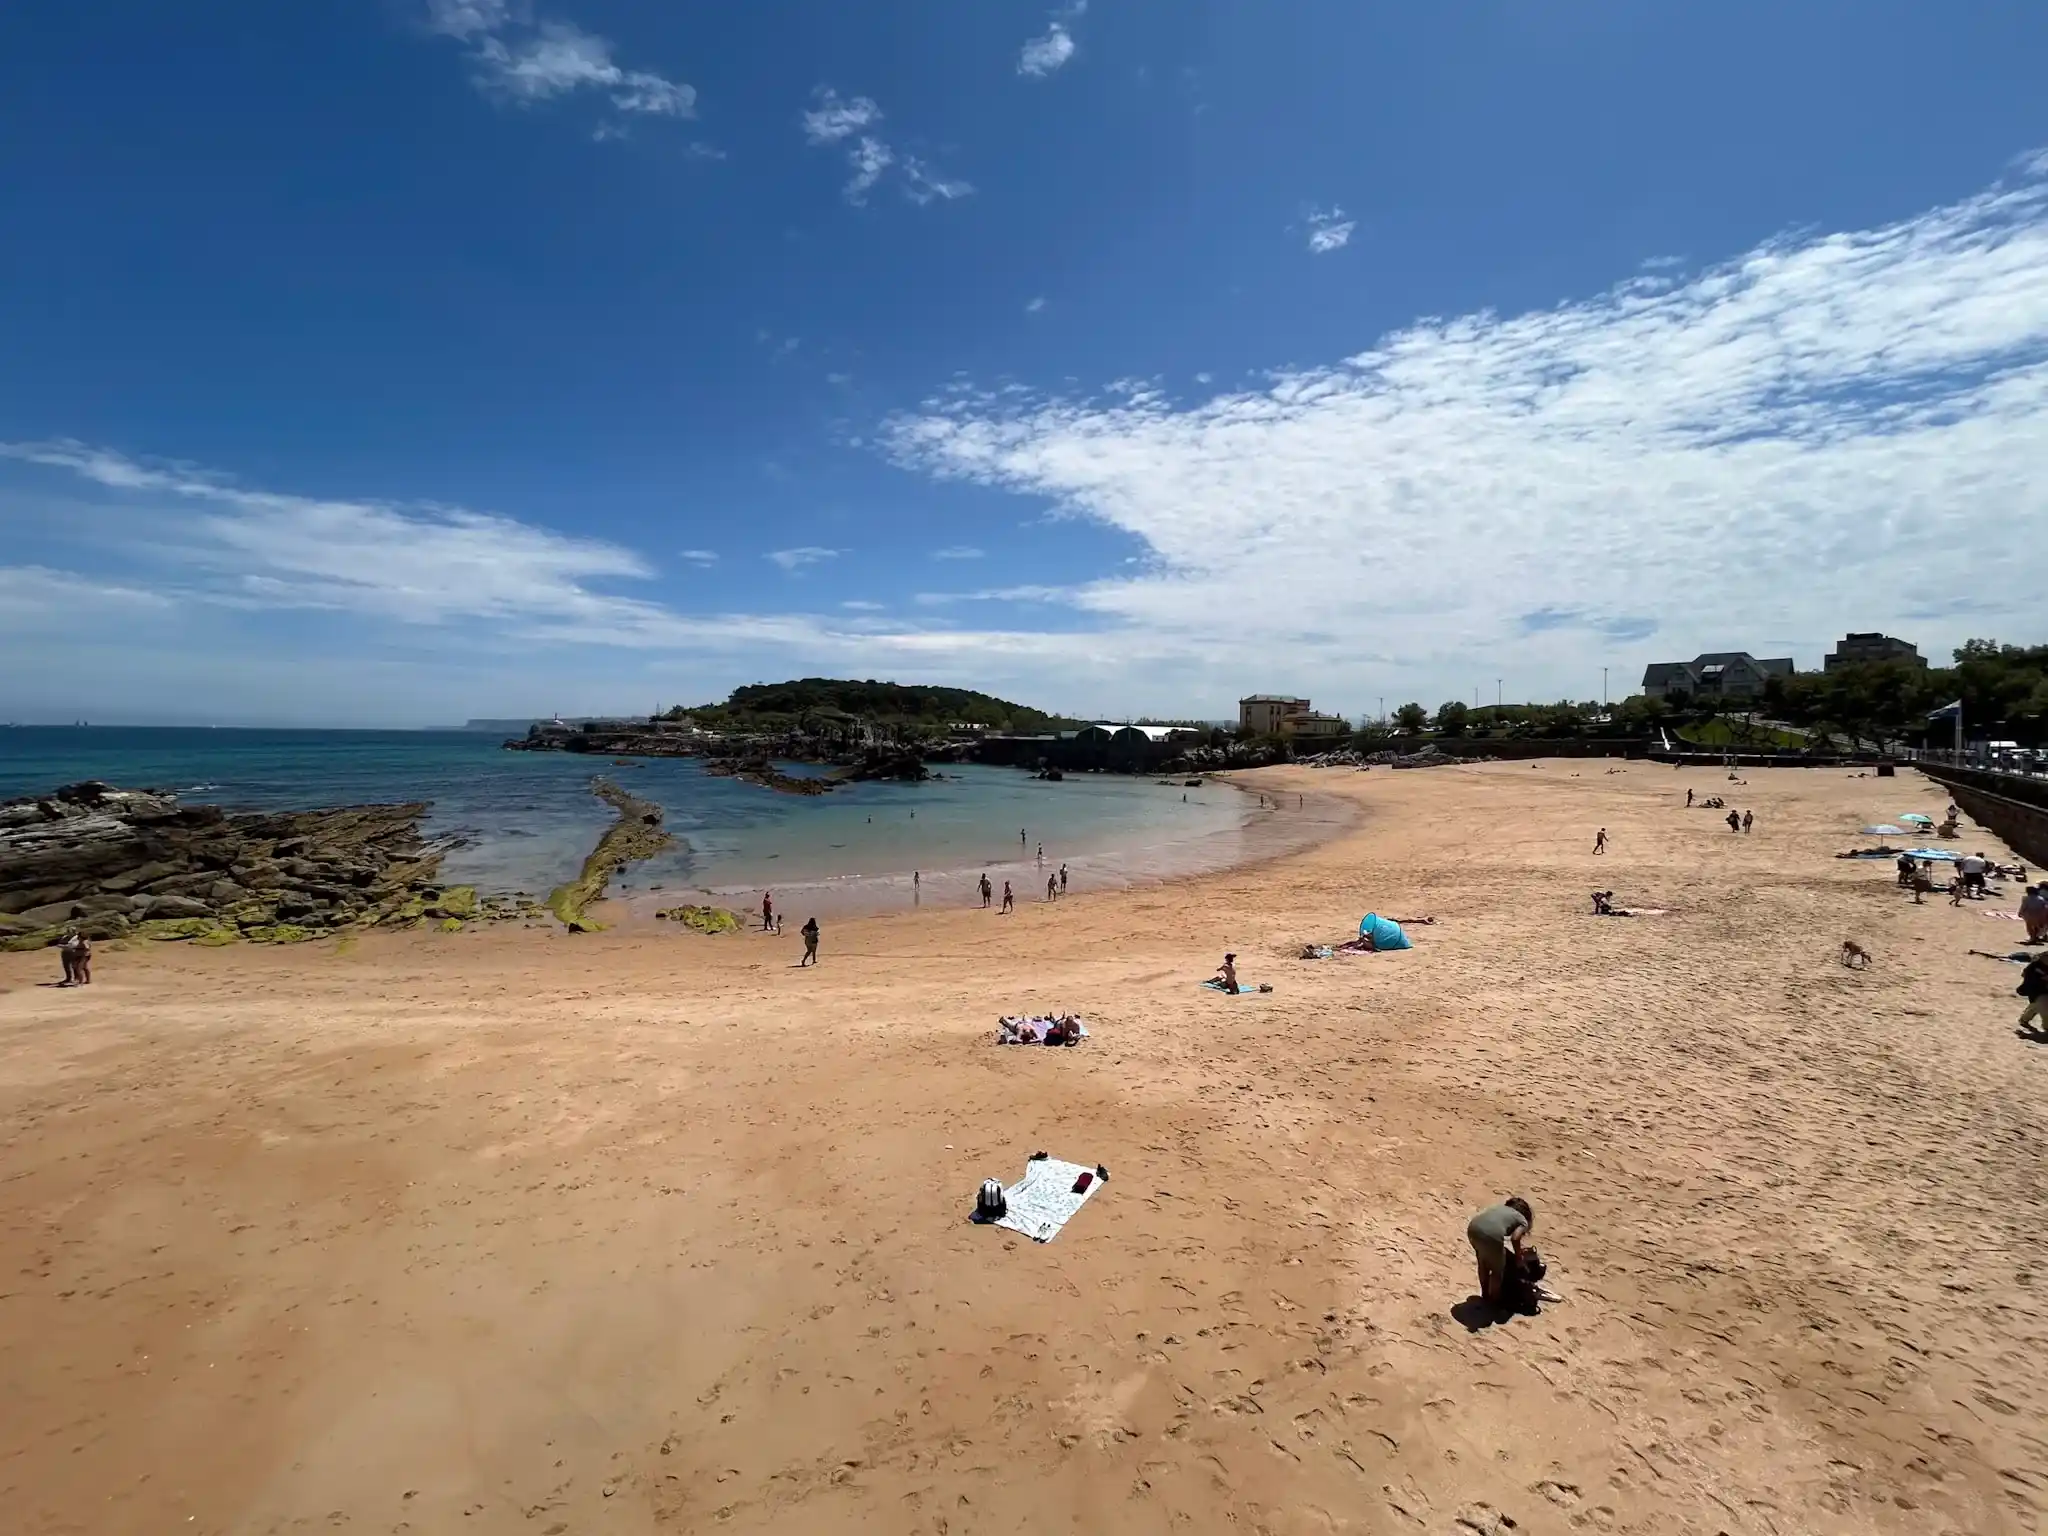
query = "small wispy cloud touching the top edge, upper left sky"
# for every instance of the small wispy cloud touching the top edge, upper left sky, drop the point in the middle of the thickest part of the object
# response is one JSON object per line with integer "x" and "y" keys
{"x": 527, "y": 62}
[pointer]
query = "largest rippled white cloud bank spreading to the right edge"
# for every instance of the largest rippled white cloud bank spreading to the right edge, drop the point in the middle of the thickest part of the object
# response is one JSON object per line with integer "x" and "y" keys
{"x": 1811, "y": 437}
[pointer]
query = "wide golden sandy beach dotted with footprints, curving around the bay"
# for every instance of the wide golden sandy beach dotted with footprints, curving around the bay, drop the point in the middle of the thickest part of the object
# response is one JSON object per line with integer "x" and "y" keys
{"x": 519, "y": 1232}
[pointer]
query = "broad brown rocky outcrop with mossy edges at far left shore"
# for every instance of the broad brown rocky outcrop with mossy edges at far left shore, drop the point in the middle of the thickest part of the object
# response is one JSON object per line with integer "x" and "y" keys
{"x": 134, "y": 863}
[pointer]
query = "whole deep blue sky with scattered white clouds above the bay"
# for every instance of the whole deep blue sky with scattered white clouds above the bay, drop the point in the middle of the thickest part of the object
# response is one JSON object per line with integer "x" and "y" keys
{"x": 398, "y": 361}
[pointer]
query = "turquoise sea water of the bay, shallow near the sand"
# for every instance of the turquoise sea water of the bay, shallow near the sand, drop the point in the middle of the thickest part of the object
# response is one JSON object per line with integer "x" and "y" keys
{"x": 527, "y": 818}
